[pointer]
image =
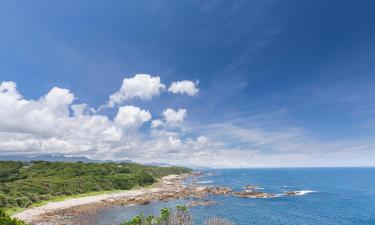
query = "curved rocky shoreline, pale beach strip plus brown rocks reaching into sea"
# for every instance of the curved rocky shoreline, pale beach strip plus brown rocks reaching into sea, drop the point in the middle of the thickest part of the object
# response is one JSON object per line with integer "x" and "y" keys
{"x": 168, "y": 188}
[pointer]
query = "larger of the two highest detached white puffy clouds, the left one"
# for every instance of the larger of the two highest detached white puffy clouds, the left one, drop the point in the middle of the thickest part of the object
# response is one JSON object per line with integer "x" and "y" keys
{"x": 141, "y": 86}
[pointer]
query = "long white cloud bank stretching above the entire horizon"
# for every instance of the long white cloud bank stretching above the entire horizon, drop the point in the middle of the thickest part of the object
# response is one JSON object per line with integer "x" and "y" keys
{"x": 54, "y": 124}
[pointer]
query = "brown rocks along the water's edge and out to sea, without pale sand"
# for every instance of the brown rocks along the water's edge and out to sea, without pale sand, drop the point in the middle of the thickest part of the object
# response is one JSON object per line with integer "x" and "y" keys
{"x": 168, "y": 188}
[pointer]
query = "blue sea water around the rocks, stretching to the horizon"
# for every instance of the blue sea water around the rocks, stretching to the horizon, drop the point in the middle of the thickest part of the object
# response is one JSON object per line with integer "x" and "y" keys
{"x": 343, "y": 196}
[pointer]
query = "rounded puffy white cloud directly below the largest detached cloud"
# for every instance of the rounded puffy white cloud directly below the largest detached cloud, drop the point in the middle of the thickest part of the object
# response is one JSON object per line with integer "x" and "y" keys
{"x": 131, "y": 116}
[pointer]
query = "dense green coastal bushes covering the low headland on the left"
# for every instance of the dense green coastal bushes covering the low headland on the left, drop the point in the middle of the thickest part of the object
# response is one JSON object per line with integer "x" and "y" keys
{"x": 25, "y": 183}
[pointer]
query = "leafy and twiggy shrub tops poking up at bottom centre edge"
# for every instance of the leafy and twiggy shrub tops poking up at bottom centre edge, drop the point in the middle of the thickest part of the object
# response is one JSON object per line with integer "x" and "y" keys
{"x": 179, "y": 216}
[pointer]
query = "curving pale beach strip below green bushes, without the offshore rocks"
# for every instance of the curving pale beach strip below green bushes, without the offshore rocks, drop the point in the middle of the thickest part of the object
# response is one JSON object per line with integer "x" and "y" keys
{"x": 168, "y": 187}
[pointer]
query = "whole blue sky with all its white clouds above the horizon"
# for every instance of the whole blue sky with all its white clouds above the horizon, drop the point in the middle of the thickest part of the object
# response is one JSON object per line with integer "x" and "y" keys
{"x": 213, "y": 83}
